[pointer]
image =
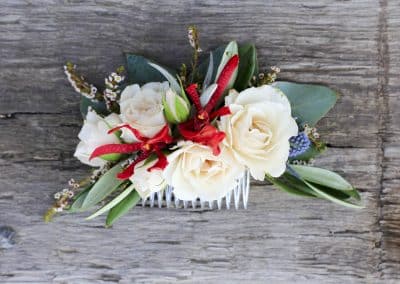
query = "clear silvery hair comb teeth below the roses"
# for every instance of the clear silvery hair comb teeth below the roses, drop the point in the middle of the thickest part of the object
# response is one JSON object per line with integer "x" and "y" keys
{"x": 166, "y": 199}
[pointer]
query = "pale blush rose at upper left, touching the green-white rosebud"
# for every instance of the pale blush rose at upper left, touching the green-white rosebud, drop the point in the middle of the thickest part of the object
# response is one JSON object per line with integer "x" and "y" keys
{"x": 142, "y": 108}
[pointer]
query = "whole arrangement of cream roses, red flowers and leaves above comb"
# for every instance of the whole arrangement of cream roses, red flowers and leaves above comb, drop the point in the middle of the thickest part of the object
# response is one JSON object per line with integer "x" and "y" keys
{"x": 197, "y": 132}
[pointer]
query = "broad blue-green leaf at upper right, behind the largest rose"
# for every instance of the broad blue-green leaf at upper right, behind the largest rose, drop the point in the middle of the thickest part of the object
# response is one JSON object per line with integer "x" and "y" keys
{"x": 309, "y": 102}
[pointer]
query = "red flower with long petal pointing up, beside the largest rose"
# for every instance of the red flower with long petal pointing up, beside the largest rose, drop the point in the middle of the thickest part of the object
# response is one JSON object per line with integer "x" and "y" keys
{"x": 199, "y": 128}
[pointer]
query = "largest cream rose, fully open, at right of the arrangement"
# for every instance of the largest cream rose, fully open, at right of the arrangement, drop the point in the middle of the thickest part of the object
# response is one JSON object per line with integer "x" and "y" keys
{"x": 258, "y": 130}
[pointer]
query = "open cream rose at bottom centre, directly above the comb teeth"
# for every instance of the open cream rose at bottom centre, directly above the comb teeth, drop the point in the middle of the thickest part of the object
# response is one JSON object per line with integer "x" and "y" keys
{"x": 195, "y": 172}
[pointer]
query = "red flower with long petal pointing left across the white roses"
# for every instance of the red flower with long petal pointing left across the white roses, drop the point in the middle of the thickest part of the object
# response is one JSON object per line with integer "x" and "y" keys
{"x": 146, "y": 147}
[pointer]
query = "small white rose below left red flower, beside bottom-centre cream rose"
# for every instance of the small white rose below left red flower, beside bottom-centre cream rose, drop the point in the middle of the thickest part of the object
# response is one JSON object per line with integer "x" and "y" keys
{"x": 146, "y": 182}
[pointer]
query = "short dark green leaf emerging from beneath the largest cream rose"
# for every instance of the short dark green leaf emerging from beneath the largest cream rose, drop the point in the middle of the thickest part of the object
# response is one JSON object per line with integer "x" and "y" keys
{"x": 291, "y": 185}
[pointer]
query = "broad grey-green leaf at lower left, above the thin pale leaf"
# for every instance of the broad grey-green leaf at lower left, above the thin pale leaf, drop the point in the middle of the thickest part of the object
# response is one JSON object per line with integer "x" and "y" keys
{"x": 103, "y": 187}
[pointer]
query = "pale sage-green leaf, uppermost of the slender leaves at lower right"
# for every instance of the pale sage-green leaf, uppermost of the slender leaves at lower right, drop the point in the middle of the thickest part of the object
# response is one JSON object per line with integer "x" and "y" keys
{"x": 322, "y": 177}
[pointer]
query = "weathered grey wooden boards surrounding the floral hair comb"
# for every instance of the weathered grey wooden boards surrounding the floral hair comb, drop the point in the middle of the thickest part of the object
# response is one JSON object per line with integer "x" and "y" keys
{"x": 353, "y": 46}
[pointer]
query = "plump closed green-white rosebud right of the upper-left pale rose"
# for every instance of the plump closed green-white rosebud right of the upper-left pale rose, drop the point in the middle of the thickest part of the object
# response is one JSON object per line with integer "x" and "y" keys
{"x": 176, "y": 109}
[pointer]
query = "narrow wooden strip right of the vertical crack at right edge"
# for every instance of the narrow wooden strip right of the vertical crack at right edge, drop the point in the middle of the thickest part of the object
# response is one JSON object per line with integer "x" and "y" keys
{"x": 389, "y": 99}
